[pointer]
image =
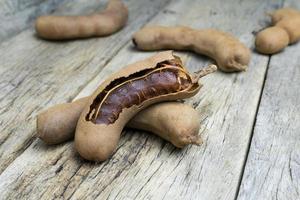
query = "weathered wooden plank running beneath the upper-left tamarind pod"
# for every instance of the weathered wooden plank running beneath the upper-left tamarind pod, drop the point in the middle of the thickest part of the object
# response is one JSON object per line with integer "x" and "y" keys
{"x": 35, "y": 73}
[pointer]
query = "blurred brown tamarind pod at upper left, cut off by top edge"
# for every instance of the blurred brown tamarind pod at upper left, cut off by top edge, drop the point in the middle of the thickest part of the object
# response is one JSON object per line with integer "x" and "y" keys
{"x": 108, "y": 21}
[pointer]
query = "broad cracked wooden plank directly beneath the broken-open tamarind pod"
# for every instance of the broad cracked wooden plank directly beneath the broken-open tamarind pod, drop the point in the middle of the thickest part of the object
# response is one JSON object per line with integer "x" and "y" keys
{"x": 145, "y": 167}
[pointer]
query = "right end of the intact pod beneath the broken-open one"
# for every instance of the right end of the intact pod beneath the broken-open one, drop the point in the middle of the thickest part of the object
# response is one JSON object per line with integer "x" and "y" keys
{"x": 173, "y": 121}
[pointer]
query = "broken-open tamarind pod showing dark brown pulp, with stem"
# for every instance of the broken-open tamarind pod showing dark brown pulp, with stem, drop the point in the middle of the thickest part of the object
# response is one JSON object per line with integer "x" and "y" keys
{"x": 158, "y": 78}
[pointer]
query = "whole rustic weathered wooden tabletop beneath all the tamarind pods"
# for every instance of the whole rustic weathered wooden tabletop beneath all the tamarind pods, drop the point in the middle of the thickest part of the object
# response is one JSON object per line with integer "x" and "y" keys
{"x": 250, "y": 120}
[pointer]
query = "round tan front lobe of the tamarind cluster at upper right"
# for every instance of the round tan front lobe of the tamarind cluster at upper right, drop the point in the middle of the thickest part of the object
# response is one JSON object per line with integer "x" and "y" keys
{"x": 271, "y": 40}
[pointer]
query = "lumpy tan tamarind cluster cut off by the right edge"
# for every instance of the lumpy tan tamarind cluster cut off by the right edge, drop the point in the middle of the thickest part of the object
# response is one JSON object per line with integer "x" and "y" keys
{"x": 285, "y": 31}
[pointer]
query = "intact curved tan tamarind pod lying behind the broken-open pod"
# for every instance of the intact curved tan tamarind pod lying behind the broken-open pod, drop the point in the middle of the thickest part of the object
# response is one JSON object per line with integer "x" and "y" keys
{"x": 229, "y": 53}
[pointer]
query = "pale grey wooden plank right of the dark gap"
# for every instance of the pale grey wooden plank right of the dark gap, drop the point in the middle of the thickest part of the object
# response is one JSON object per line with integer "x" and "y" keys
{"x": 273, "y": 166}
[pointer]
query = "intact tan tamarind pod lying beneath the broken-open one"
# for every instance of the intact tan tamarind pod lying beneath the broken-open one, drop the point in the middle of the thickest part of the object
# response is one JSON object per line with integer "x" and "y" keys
{"x": 58, "y": 123}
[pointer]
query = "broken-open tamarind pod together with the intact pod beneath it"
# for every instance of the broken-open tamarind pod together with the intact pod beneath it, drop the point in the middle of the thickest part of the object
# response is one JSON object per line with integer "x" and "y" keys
{"x": 137, "y": 96}
